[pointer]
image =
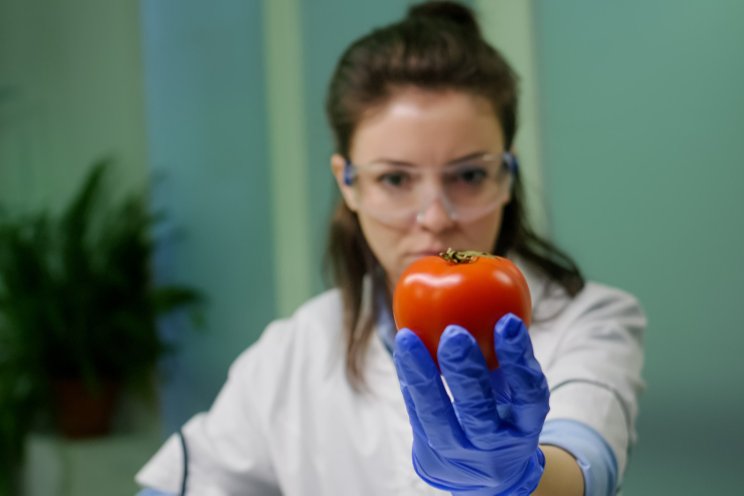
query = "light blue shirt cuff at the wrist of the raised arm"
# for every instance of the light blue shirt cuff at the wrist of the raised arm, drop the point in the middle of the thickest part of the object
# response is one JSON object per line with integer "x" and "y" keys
{"x": 593, "y": 454}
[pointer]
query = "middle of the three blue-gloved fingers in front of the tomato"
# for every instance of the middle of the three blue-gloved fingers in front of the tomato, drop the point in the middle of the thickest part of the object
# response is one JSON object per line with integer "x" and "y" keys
{"x": 468, "y": 378}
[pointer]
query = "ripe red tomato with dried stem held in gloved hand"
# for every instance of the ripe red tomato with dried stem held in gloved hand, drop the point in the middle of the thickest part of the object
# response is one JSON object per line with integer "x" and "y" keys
{"x": 470, "y": 289}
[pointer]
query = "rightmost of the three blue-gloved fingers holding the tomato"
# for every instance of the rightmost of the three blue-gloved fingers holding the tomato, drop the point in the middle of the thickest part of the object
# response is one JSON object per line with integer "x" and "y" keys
{"x": 527, "y": 383}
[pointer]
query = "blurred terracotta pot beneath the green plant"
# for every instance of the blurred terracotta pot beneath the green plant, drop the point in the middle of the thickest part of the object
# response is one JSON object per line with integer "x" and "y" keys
{"x": 82, "y": 413}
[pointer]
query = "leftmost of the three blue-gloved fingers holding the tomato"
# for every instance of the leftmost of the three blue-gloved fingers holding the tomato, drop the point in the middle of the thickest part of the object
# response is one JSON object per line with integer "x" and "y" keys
{"x": 419, "y": 375}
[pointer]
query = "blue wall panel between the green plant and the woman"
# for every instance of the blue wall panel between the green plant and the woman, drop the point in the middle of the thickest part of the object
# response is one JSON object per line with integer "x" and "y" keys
{"x": 207, "y": 143}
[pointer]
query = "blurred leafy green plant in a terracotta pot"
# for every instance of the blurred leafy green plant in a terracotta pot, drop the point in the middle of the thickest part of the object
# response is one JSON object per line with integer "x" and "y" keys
{"x": 79, "y": 307}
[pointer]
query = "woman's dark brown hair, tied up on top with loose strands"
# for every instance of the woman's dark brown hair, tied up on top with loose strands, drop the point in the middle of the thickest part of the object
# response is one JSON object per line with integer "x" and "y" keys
{"x": 437, "y": 46}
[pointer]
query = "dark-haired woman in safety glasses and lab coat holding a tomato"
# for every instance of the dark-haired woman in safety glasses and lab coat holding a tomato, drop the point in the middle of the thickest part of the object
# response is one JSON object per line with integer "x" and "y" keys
{"x": 424, "y": 117}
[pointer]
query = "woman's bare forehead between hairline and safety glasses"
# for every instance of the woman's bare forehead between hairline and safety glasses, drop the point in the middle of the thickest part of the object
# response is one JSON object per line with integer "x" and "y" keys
{"x": 427, "y": 126}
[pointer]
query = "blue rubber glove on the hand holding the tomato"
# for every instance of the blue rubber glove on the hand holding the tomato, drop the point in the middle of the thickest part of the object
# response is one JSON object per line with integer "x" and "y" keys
{"x": 486, "y": 441}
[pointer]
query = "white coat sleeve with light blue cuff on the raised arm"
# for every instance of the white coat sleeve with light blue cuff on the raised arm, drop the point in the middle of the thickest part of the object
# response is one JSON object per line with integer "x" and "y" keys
{"x": 595, "y": 380}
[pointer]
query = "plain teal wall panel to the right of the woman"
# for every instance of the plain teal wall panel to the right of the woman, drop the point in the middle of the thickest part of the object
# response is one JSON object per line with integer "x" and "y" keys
{"x": 643, "y": 110}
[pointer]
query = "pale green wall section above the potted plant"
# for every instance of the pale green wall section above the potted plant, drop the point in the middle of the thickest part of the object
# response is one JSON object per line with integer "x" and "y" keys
{"x": 71, "y": 91}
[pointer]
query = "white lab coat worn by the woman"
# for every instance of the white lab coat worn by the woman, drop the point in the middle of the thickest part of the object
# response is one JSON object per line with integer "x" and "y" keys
{"x": 288, "y": 422}
